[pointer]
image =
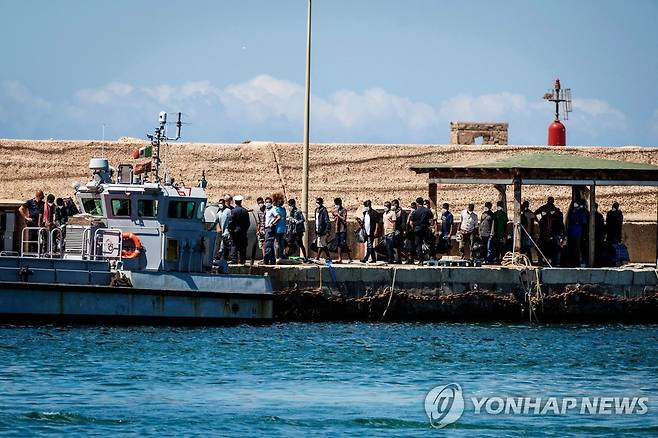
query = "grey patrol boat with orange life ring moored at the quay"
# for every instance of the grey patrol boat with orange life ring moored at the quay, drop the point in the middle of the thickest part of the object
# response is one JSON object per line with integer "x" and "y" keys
{"x": 140, "y": 251}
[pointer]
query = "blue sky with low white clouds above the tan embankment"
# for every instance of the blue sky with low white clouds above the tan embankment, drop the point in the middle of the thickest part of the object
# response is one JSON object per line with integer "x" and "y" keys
{"x": 386, "y": 71}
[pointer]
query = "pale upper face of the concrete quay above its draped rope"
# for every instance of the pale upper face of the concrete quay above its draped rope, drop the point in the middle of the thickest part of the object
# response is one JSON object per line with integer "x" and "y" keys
{"x": 357, "y": 280}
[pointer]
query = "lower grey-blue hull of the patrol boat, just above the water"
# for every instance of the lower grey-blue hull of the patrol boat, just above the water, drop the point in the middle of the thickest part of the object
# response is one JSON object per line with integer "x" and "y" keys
{"x": 28, "y": 303}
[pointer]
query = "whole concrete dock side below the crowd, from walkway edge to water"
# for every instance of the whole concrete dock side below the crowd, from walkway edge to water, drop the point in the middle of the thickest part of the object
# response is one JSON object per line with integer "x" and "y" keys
{"x": 375, "y": 293}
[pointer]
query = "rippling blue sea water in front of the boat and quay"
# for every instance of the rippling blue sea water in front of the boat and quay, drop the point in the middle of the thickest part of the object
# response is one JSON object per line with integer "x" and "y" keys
{"x": 317, "y": 379}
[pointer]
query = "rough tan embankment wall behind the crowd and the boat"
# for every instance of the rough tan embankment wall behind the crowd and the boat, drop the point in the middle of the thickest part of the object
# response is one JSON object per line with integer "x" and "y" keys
{"x": 354, "y": 172}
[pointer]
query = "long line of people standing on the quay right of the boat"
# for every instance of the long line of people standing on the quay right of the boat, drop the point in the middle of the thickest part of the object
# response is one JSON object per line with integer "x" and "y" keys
{"x": 418, "y": 233}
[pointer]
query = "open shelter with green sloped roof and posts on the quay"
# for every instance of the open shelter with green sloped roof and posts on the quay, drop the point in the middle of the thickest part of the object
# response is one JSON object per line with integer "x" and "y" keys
{"x": 542, "y": 168}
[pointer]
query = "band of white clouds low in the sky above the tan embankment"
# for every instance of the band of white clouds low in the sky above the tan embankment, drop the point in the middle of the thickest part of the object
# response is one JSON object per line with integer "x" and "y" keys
{"x": 266, "y": 107}
